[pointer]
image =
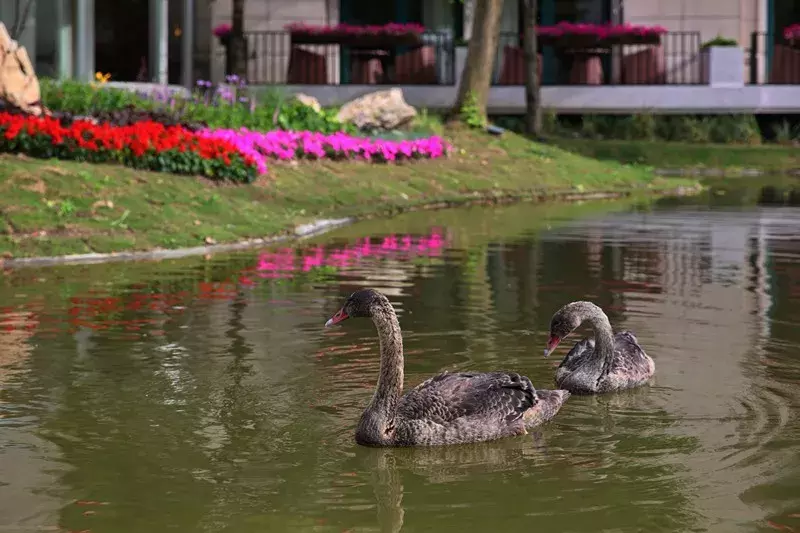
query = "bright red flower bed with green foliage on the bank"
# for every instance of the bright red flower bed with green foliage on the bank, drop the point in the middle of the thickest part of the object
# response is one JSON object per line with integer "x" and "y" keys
{"x": 145, "y": 145}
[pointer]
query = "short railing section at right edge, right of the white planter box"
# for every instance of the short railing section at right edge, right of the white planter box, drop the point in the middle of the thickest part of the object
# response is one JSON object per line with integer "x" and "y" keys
{"x": 773, "y": 60}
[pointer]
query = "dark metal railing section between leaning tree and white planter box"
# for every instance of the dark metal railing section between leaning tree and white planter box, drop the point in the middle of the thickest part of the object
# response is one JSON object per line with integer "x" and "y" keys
{"x": 676, "y": 61}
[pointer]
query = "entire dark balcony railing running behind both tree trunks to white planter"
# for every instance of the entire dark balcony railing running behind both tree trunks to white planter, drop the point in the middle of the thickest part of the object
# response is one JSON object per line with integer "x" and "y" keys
{"x": 273, "y": 60}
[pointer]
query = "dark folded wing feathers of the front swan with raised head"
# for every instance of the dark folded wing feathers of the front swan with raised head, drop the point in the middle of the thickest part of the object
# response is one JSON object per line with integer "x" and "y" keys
{"x": 449, "y": 396}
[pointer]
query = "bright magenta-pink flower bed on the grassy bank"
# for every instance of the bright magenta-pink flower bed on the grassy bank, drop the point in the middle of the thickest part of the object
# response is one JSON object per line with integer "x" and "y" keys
{"x": 289, "y": 145}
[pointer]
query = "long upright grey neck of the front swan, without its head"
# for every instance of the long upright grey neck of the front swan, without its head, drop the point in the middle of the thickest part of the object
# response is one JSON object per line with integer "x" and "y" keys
{"x": 390, "y": 380}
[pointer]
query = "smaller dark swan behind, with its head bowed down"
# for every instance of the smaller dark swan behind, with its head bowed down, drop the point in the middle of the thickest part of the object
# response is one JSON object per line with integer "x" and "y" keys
{"x": 605, "y": 363}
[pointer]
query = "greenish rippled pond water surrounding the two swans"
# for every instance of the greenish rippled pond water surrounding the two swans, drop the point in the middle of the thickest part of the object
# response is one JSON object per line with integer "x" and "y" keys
{"x": 205, "y": 394}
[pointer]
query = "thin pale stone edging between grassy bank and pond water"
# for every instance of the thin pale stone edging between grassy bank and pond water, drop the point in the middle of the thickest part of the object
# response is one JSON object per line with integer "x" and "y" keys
{"x": 321, "y": 226}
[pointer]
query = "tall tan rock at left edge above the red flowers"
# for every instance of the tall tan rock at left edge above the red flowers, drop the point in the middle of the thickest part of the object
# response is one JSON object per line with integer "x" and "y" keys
{"x": 19, "y": 85}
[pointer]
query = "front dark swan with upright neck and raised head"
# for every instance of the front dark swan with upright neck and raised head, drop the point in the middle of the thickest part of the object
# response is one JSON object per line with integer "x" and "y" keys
{"x": 449, "y": 408}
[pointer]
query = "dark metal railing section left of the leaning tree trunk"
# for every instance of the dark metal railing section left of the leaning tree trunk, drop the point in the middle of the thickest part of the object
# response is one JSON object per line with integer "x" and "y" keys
{"x": 273, "y": 60}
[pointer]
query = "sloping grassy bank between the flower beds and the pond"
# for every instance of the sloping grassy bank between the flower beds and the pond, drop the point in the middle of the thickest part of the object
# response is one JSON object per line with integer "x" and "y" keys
{"x": 58, "y": 208}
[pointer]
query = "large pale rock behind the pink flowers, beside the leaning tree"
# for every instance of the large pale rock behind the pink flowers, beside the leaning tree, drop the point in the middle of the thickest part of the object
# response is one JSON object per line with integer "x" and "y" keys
{"x": 382, "y": 110}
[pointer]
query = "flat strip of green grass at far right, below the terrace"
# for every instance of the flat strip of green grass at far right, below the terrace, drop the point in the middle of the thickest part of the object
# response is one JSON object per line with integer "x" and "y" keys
{"x": 769, "y": 158}
